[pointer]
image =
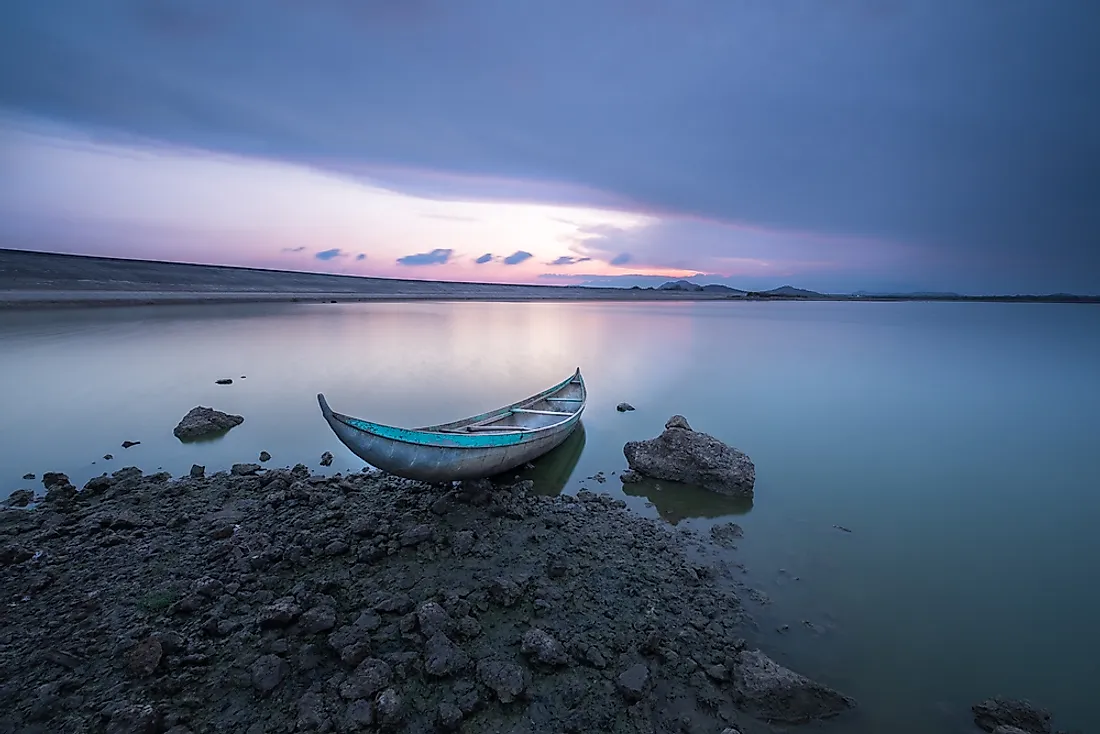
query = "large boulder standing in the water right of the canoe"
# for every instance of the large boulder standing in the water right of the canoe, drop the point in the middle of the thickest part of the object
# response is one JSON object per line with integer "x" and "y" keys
{"x": 683, "y": 455}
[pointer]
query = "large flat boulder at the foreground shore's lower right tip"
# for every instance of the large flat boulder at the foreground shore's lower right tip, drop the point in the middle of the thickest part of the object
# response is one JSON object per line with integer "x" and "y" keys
{"x": 767, "y": 691}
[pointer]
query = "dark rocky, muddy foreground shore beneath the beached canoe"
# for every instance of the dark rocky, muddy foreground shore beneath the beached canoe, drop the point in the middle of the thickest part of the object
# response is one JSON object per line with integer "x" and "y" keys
{"x": 278, "y": 601}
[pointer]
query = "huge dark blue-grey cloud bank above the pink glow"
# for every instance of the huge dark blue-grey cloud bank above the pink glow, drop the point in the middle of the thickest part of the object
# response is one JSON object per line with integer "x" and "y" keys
{"x": 967, "y": 129}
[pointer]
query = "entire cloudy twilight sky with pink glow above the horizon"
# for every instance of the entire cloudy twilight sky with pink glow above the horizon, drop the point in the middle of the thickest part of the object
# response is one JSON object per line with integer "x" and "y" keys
{"x": 877, "y": 146}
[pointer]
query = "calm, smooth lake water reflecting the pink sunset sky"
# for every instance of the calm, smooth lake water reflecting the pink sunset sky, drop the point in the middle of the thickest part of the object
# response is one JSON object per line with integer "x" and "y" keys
{"x": 959, "y": 443}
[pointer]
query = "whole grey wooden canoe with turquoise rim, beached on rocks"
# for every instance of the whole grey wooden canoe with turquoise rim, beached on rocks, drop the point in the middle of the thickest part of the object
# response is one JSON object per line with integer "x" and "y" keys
{"x": 476, "y": 447}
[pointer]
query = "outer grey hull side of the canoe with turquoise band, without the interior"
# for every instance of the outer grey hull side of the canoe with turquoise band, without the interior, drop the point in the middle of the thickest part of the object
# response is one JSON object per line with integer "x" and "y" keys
{"x": 434, "y": 456}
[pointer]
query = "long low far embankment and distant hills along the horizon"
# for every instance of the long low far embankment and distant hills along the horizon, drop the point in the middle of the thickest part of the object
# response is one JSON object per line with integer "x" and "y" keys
{"x": 45, "y": 281}
